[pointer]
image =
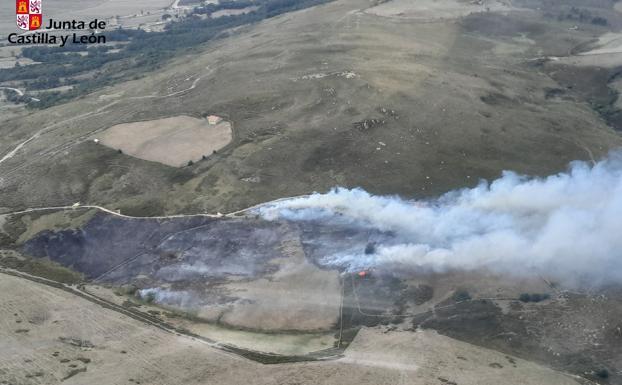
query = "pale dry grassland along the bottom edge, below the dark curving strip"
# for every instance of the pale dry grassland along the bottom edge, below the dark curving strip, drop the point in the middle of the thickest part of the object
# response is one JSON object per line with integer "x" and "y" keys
{"x": 116, "y": 349}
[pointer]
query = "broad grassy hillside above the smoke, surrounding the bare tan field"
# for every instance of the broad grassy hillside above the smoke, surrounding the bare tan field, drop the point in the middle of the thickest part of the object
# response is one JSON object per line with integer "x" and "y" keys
{"x": 331, "y": 95}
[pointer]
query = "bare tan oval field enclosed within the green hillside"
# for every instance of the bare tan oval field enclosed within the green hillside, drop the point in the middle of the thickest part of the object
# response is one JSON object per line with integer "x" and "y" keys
{"x": 172, "y": 141}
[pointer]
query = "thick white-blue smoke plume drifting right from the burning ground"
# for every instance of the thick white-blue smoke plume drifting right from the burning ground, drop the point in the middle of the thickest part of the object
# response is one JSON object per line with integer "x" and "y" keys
{"x": 566, "y": 226}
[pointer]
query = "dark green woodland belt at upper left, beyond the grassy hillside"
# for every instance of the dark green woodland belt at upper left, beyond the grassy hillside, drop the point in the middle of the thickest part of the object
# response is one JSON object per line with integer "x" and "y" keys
{"x": 144, "y": 52}
